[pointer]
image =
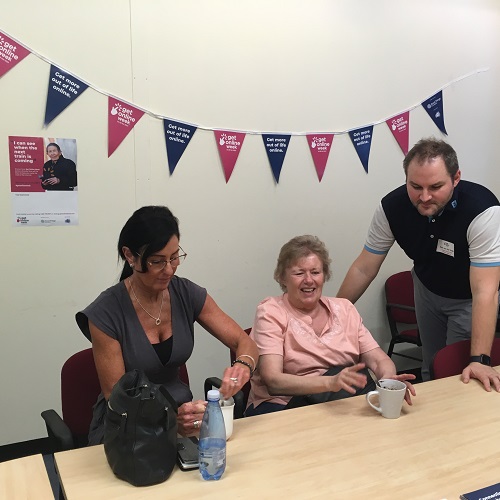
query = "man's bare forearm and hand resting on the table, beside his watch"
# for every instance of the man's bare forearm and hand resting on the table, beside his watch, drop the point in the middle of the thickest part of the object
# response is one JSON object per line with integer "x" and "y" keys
{"x": 484, "y": 283}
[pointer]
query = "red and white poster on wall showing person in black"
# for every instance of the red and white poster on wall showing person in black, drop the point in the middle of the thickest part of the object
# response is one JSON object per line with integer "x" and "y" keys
{"x": 43, "y": 181}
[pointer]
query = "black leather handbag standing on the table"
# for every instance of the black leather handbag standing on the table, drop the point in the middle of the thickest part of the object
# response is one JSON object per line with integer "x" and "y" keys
{"x": 140, "y": 430}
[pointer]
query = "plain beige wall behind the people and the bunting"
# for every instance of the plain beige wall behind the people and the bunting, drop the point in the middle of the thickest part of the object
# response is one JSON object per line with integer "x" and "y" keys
{"x": 278, "y": 66}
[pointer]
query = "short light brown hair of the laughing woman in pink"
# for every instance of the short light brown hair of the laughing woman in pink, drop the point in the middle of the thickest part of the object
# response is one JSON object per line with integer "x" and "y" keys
{"x": 295, "y": 249}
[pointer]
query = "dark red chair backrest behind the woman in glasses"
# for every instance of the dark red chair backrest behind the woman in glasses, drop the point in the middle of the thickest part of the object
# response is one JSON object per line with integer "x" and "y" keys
{"x": 80, "y": 388}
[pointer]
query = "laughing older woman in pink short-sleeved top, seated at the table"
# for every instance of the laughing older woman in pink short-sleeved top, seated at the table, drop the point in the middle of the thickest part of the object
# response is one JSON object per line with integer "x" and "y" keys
{"x": 313, "y": 348}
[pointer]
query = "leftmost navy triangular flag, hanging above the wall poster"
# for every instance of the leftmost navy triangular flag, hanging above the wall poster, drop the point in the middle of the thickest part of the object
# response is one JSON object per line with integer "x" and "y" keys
{"x": 63, "y": 89}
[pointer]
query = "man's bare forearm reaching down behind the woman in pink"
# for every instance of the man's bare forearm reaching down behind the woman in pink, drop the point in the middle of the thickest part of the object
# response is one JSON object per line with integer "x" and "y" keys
{"x": 361, "y": 273}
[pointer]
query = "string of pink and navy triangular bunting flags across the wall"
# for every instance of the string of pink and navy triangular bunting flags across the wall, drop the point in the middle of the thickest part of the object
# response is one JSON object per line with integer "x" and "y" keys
{"x": 64, "y": 87}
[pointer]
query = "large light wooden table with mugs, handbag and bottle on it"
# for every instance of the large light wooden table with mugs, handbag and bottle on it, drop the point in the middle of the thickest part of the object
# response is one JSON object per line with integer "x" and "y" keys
{"x": 446, "y": 444}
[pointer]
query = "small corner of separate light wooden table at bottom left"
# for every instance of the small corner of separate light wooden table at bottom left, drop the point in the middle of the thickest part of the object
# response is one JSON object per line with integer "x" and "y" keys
{"x": 25, "y": 478}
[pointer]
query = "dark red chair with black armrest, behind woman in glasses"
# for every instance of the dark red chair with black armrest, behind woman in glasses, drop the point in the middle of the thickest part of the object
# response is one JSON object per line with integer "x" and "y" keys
{"x": 79, "y": 390}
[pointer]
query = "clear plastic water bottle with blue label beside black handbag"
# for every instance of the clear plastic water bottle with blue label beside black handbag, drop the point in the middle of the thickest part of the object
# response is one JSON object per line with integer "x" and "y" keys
{"x": 212, "y": 443}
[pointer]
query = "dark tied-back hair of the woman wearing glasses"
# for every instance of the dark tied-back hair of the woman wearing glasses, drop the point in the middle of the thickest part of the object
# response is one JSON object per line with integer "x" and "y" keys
{"x": 148, "y": 230}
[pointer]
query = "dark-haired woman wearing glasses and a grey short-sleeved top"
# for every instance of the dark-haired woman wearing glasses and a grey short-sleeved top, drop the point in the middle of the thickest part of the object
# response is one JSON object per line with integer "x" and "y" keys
{"x": 146, "y": 321}
